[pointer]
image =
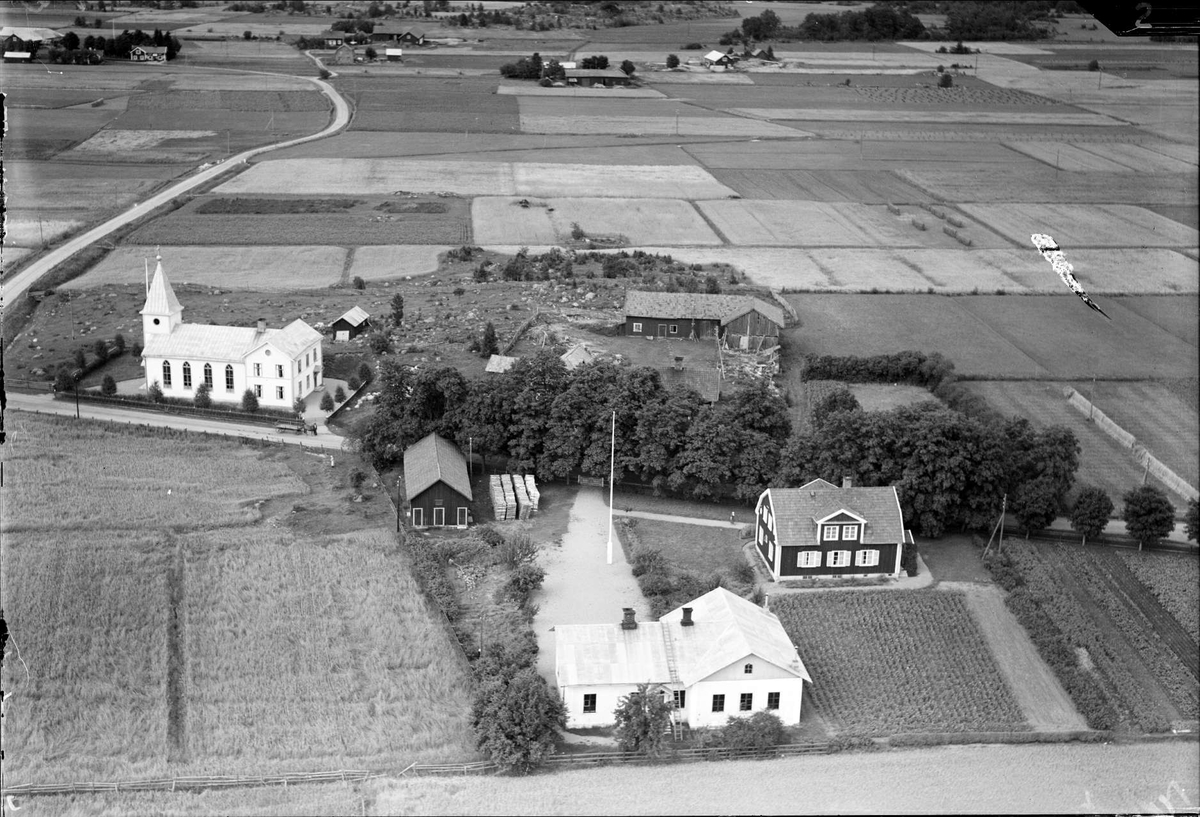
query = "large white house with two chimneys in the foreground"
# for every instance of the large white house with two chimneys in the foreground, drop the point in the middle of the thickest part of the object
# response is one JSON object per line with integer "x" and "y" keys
{"x": 718, "y": 657}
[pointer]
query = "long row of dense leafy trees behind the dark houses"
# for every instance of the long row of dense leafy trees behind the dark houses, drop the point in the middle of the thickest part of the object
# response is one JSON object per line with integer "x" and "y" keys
{"x": 950, "y": 468}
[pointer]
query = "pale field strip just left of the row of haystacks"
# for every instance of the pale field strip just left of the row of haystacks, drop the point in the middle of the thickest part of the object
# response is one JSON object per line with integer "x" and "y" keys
{"x": 808, "y": 224}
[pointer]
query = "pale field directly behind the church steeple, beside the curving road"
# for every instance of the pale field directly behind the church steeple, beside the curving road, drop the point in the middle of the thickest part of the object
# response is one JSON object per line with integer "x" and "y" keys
{"x": 262, "y": 268}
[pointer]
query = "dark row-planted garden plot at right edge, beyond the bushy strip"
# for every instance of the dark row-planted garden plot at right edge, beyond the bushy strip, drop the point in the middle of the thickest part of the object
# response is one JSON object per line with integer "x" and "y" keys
{"x": 1088, "y": 598}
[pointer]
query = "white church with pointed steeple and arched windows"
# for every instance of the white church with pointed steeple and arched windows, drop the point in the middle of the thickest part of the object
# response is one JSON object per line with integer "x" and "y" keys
{"x": 280, "y": 365}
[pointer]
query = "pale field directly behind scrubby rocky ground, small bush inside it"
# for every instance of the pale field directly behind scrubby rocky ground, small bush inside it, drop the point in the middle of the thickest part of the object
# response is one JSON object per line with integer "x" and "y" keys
{"x": 553, "y": 221}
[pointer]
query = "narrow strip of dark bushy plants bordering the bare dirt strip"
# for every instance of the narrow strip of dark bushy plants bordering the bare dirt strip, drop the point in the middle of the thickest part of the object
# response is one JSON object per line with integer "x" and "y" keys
{"x": 1053, "y": 645}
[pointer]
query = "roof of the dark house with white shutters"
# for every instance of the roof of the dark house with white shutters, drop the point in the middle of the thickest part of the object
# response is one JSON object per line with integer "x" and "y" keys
{"x": 797, "y": 512}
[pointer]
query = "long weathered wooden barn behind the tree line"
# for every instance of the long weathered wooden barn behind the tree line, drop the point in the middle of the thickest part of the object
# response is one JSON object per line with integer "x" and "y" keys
{"x": 743, "y": 322}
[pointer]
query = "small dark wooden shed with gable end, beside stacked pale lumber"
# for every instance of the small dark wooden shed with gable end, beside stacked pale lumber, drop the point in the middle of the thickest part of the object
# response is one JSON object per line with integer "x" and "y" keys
{"x": 436, "y": 484}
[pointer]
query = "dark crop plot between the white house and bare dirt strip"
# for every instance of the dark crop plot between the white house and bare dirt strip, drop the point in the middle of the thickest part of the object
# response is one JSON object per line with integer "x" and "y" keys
{"x": 898, "y": 662}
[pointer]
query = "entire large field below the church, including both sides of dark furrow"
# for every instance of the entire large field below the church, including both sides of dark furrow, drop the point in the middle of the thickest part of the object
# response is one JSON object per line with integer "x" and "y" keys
{"x": 214, "y": 629}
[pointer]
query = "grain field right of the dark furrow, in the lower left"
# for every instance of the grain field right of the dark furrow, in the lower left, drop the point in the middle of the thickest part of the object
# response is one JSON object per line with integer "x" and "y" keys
{"x": 301, "y": 648}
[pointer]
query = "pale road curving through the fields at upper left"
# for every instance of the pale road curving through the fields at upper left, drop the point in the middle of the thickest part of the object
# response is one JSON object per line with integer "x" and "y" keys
{"x": 29, "y": 277}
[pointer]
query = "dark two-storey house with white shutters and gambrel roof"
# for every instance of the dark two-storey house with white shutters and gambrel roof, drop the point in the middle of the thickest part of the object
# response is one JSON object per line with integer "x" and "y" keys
{"x": 823, "y": 531}
